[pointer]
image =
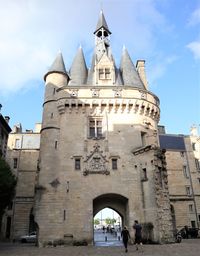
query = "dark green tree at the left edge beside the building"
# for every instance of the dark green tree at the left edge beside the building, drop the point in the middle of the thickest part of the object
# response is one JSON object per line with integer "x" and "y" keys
{"x": 7, "y": 186}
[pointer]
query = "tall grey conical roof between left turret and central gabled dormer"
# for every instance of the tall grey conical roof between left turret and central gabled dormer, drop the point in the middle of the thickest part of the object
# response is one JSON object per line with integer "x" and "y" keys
{"x": 78, "y": 71}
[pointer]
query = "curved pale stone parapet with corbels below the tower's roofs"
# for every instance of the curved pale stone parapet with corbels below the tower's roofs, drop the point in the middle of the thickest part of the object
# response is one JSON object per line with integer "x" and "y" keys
{"x": 118, "y": 100}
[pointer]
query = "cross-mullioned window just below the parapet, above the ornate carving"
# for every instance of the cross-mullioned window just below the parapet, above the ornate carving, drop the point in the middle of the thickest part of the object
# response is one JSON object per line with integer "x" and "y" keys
{"x": 95, "y": 128}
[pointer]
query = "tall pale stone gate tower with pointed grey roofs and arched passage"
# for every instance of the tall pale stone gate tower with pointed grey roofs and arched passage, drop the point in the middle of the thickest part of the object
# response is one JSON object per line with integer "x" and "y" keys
{"x": 99, "y": 147}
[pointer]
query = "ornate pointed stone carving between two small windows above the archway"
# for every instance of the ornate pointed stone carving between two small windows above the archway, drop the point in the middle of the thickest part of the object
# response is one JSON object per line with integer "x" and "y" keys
{"x": 95, "y": 163}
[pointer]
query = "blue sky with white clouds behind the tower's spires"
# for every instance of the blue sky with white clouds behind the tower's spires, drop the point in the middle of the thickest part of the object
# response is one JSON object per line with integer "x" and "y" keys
{"x": 166, "y": 33}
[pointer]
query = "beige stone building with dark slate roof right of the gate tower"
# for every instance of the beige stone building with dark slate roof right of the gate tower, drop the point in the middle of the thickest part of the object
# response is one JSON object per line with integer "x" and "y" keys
{"x": 183, "y": 167}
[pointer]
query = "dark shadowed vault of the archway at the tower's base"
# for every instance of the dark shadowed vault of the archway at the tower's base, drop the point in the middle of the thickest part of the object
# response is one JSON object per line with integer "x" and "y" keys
{"x": 113, "y": 201}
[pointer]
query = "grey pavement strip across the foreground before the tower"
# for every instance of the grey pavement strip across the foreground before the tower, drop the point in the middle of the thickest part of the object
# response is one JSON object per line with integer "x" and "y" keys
{"x": 190, "y": 247}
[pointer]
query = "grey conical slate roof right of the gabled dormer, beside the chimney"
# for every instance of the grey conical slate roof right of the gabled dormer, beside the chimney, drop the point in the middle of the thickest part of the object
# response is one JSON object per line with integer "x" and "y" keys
{"x": 129, "y": 73}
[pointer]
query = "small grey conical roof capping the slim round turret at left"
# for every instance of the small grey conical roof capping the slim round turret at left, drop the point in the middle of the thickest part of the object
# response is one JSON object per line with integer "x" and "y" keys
{"x": 58, "y": 66}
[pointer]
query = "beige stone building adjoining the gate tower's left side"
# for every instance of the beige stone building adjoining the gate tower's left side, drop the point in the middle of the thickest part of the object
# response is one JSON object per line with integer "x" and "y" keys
{"x": 22, "y": 156}
